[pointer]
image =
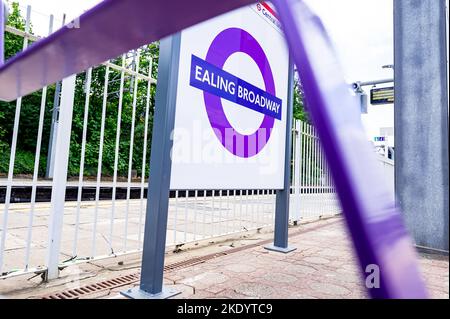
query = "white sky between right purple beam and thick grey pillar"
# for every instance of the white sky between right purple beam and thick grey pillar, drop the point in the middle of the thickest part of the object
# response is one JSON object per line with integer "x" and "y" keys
{"x": 363, "y": 32}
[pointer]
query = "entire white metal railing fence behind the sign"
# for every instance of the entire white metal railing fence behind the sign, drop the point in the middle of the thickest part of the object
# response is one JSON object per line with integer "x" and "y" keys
{"x": 105, "y": 214}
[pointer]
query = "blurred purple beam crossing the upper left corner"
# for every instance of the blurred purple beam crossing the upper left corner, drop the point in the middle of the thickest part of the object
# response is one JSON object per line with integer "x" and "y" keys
{"x": 105, "y": 32}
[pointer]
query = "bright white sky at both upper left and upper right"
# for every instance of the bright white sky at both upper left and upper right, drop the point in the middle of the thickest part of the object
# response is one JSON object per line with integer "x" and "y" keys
{"x": 361, "y": 29}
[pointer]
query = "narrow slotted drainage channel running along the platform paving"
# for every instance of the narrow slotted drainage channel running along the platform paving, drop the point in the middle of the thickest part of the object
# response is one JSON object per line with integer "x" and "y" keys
{"x": 83, "y": 292}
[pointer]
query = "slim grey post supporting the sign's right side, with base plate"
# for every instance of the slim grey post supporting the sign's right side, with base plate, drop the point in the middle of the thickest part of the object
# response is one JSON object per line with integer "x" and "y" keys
{"x": 283, "y": 196}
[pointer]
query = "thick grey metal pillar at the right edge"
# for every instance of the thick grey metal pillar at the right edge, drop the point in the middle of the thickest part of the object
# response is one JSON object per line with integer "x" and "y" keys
{"x": 421, "y": 120}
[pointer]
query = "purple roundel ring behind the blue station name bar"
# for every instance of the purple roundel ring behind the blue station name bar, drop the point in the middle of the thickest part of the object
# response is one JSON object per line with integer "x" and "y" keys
{"x": 227, "y": 43}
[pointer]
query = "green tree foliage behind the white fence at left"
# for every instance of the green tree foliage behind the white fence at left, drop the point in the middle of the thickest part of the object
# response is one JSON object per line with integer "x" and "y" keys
{"x": 30, "y": 109}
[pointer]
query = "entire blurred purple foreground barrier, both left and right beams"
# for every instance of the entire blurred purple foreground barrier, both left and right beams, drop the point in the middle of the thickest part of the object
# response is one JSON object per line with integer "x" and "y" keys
{"x": 116, "y": 26}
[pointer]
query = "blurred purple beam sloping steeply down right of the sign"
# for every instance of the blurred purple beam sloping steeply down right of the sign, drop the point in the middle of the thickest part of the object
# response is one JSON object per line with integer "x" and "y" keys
{"x": 372, "y": 216}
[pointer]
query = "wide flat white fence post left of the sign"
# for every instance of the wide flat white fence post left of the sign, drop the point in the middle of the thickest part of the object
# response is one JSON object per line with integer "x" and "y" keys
{"x": 60, "y": 176}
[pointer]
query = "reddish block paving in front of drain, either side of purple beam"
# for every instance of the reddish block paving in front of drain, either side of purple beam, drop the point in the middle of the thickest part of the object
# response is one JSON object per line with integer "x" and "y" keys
{"x": 322, "y": 267}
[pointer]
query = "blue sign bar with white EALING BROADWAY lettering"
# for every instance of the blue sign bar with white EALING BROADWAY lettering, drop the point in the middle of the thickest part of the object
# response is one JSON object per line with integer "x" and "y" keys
{"x": 211, "y": 79}
